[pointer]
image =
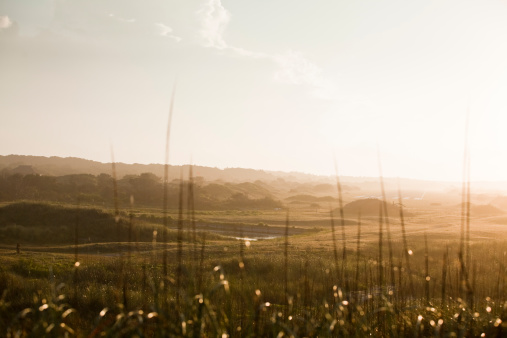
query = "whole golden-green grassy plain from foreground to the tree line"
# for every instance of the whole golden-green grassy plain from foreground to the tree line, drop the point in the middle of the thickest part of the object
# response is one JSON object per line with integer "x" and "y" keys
{"x": 308, "y": 281}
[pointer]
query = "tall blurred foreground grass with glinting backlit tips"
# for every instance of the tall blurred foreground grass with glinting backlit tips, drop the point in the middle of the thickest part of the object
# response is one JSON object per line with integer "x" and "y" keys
{"x": 227, "y": 299}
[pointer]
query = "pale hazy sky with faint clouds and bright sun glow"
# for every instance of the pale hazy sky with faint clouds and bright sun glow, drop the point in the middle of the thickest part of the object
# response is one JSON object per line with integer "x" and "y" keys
{"x": 274, "y": 85}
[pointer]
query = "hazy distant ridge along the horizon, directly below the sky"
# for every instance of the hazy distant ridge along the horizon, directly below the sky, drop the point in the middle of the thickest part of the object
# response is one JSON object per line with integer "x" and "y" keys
{"x": 317, "y": 185}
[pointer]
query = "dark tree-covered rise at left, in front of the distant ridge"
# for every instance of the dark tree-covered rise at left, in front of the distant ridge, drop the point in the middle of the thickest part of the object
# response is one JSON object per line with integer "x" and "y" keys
{"x": 146, "y": 189}
